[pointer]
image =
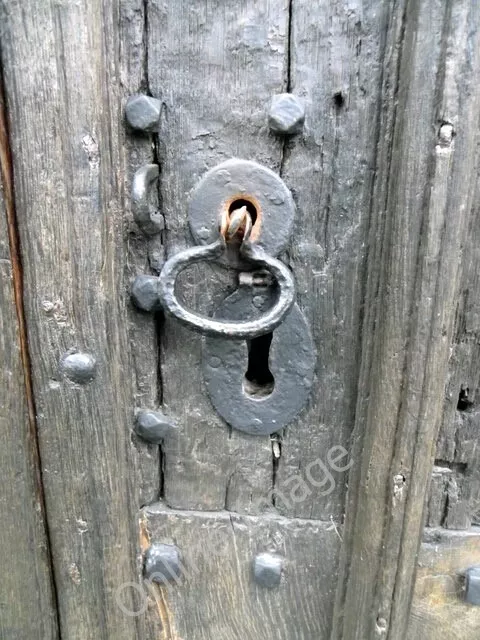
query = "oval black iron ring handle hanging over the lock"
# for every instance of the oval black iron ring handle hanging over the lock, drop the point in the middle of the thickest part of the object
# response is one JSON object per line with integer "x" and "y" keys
{"x": 208, "y": 326}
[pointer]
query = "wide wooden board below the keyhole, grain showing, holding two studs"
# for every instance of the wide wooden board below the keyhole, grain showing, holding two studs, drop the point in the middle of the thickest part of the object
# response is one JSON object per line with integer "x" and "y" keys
{"x": 217, "y": 596}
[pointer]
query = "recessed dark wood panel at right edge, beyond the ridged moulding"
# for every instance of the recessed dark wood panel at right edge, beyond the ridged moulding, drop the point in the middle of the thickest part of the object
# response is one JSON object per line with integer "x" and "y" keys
{"x": 457, "y": 504}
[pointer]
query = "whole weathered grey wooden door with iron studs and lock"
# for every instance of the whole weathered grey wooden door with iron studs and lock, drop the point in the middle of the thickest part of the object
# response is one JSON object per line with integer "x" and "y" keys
{"x": 386, "y": 262}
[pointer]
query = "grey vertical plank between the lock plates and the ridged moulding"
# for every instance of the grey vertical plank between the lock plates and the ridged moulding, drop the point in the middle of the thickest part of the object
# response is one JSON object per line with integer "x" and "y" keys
{"x": 336, "y": 64}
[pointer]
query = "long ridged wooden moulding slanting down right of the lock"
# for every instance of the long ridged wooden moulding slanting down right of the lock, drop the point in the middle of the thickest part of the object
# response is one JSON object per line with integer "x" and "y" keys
{"x": 424, "y": 190}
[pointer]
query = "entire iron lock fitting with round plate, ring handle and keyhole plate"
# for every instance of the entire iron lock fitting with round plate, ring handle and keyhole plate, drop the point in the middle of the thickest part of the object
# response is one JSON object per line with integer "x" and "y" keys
{"x": 241, "y": 214}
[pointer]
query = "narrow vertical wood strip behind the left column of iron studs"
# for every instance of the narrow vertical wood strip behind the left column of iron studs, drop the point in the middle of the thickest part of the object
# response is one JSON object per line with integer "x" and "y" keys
{"x": 138, "y": 149}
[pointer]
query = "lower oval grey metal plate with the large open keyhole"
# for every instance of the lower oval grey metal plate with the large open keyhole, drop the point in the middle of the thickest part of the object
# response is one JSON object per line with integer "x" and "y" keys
{"x": 291, "y": 362}
